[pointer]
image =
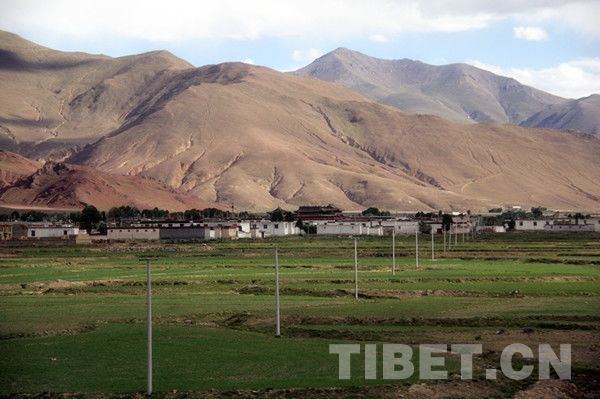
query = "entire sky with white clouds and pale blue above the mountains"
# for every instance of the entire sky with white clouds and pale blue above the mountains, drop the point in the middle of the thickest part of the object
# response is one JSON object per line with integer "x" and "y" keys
{"x": 553, "y": 45}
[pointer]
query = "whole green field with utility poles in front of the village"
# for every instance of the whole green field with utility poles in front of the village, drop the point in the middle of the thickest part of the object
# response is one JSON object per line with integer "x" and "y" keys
{"x": 72, "y": 319}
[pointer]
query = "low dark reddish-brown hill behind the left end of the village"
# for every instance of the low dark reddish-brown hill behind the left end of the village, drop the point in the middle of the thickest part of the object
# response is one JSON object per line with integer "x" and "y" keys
{"x": 70, "y": 186}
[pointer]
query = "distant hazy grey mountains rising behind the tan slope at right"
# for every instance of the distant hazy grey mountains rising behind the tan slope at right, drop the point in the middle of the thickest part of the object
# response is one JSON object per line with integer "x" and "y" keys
{"x": 457, "y": 92}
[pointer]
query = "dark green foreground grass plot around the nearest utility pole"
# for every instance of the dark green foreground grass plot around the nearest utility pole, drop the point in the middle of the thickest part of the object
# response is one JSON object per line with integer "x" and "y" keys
{"x": 111, "y": 359}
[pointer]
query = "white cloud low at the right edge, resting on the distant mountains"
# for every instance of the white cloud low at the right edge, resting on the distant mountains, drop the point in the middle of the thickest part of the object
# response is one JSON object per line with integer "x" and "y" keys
{"x": 572, "y": 79}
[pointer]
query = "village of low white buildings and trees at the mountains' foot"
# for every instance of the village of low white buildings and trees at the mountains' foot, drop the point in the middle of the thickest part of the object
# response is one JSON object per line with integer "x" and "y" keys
{"x": 307, "y": 220}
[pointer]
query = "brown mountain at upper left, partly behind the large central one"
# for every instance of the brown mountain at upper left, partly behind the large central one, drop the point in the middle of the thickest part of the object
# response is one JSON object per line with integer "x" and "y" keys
{"x": 52, "y": 101}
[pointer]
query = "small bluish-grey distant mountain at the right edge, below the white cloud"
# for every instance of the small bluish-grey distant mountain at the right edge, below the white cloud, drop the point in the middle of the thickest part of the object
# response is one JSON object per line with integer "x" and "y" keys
{"x": 582, "y": 114}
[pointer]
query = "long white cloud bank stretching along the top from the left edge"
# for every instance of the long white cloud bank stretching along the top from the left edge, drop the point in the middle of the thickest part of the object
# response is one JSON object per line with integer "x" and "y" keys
{"x": 189, "y": 19}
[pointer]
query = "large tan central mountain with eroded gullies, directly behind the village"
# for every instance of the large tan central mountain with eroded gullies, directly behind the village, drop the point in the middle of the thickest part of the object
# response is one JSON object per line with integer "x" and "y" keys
{"x": 259, "y": 138}
